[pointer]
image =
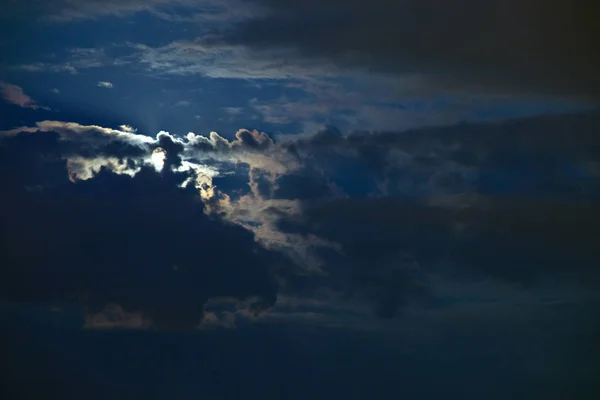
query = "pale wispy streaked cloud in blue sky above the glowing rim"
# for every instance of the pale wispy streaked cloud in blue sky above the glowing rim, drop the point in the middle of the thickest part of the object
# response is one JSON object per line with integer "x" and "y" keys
{"x": 328, "y": 90}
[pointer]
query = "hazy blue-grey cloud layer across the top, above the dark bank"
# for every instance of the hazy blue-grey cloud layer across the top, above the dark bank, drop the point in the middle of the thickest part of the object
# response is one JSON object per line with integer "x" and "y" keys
{"x": 363, "y": 65}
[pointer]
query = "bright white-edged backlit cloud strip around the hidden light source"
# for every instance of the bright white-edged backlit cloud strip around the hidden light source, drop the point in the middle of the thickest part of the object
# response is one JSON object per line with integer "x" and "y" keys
{"x": 90, "y": 147}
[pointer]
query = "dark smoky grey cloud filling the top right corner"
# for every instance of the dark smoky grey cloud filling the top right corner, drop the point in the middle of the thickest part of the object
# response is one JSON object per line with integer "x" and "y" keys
{"x": 547, "y": 47}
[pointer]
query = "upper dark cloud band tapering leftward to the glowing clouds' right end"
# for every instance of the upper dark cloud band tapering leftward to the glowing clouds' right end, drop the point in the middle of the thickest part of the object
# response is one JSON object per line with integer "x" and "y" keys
{"x": 550, "y": 155}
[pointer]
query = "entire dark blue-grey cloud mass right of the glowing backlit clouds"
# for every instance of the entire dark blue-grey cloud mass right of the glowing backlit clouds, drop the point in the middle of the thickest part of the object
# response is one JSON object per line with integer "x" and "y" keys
{"x": 515, "y": 201}
